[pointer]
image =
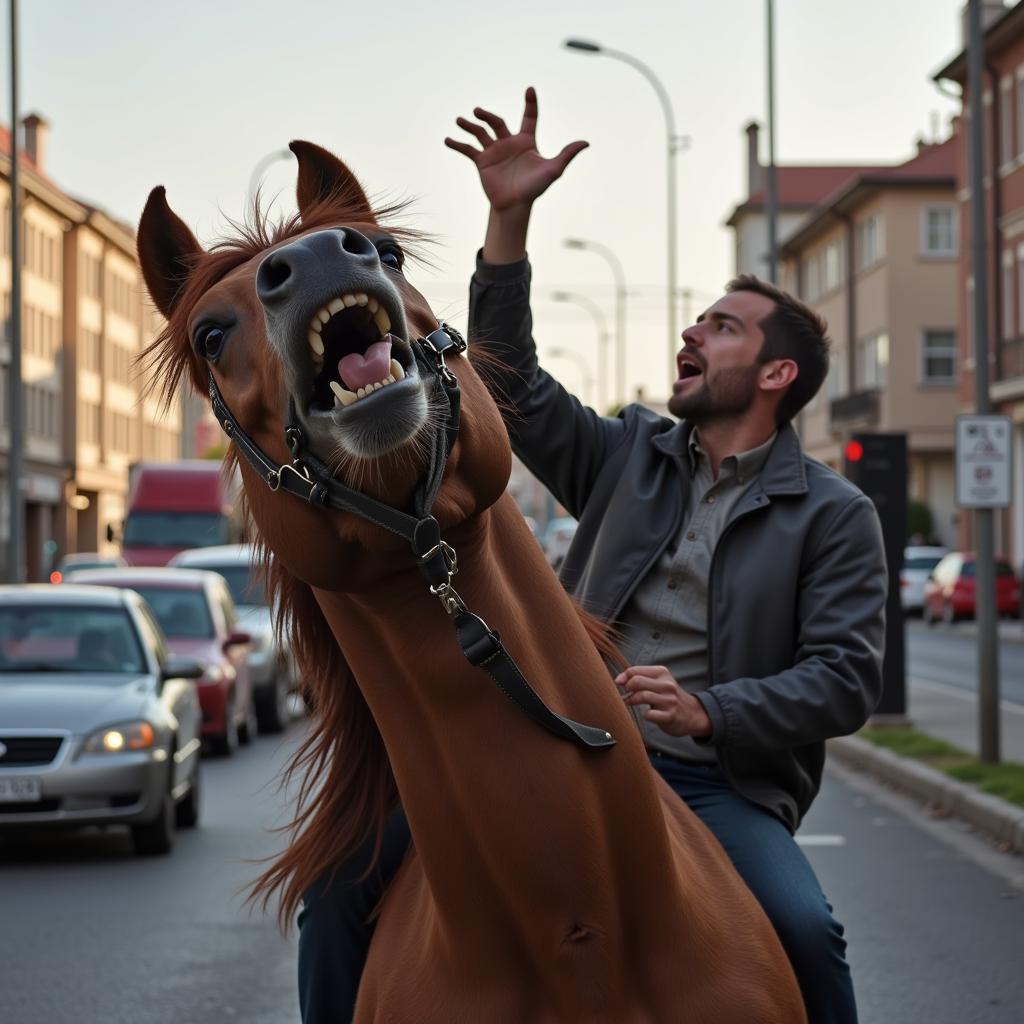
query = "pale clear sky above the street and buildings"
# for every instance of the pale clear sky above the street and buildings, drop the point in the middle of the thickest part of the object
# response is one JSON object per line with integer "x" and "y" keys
{"x": 194, "y": 95}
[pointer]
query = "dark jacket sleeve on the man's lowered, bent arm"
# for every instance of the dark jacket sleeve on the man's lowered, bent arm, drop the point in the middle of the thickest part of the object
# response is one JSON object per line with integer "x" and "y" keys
{"x": 836, "y": 680}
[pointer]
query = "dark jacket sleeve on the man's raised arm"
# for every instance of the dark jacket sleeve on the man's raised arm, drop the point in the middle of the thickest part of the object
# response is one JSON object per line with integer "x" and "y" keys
{"x": 562, "y": 442}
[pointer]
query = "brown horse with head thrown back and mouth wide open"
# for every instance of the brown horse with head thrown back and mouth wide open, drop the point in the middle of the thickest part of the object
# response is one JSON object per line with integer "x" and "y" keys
{"x": 547, "y": 882}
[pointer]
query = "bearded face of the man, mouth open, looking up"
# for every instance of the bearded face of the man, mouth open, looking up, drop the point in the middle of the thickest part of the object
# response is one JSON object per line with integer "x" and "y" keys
{"x": 718, "y": 368}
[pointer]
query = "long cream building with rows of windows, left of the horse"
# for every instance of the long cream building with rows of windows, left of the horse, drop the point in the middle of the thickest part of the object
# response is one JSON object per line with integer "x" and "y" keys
{"x": 84, "y": 322}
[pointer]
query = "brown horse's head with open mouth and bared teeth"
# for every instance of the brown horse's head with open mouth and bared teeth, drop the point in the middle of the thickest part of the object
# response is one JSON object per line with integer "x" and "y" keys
{"x": 317, "y": 317}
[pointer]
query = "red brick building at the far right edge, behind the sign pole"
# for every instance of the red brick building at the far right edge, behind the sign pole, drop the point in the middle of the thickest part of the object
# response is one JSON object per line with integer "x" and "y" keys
{"x": 1003, "y": 103}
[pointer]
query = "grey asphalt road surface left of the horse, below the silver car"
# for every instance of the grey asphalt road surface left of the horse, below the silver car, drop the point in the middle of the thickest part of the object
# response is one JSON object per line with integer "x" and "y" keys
{"x": 91, "y": 934}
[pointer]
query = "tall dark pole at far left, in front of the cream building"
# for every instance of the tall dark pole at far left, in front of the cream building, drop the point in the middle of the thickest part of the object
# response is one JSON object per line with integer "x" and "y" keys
{"x": 15, "y": 429}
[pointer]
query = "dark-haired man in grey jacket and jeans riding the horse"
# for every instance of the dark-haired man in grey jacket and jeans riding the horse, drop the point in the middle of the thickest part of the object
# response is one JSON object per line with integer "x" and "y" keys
{"x": 748, "y": 582}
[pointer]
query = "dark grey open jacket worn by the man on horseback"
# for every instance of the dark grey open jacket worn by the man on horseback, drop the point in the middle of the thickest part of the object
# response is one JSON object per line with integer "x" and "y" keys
{"x": 797, "y": 589}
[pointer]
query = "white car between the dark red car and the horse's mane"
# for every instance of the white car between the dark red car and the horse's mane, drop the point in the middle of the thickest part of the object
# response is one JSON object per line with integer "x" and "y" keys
{"x": 271, "y": 665}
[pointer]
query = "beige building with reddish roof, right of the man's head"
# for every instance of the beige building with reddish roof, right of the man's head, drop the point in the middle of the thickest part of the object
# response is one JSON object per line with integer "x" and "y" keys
{"x": 878, "y": 259}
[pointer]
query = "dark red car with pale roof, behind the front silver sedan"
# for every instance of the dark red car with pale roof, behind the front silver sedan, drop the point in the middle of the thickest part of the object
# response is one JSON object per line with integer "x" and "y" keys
{"x": 196, "y": 612}
